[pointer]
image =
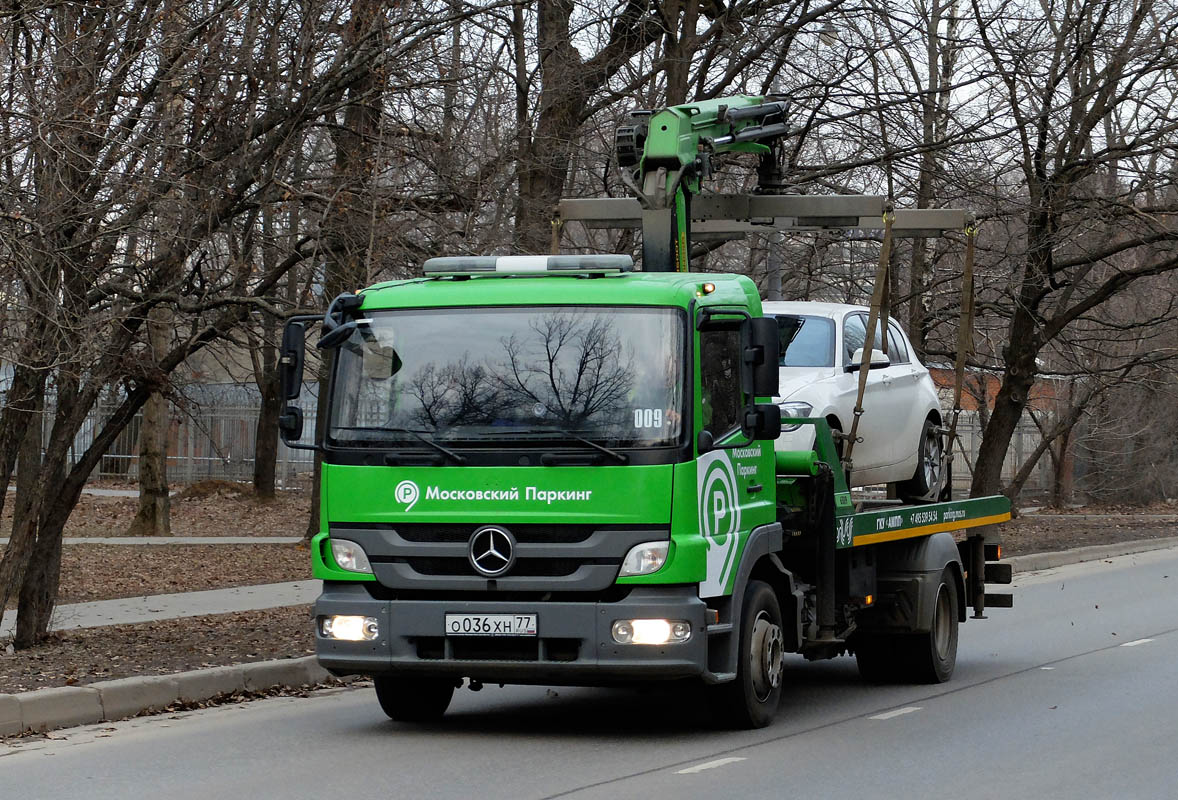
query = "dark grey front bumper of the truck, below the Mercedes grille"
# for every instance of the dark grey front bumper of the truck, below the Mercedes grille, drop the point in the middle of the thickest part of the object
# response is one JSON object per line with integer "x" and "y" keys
{"x": 573, "y": 647}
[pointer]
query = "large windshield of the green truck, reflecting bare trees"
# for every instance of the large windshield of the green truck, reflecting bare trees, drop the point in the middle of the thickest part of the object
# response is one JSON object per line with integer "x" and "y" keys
{"x": 513, "y": 375}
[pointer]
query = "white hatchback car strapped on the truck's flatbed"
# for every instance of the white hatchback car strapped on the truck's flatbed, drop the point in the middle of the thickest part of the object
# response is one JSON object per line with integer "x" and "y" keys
{"x": 819, "y": 378}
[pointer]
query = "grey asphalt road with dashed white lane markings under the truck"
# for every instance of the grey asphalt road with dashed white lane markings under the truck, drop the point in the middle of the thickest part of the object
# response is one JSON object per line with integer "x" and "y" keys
{"x": 1073, "y": 693}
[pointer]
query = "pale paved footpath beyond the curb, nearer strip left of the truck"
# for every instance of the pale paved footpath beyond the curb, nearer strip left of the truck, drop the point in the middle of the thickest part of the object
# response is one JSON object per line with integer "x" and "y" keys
{"x": 130, "y": 611}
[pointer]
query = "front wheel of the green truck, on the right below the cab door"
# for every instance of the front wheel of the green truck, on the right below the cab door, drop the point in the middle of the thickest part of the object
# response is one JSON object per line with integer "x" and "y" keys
{"x": 752, "y": 700}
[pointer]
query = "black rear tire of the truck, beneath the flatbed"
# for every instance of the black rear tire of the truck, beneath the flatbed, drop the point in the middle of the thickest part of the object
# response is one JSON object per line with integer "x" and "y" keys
{"x": 928, "y": 658}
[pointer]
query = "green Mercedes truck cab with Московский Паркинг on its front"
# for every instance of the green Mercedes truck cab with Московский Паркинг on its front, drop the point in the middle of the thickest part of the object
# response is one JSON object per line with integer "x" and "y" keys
{"x": 541, "y": 471}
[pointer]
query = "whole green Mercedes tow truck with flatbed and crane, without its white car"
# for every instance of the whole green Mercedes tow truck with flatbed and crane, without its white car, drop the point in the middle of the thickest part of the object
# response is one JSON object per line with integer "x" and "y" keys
{"x": 560, "y": 471}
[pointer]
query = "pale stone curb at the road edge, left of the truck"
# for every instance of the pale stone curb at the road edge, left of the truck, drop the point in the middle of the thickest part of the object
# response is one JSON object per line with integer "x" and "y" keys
{"x": 105, "y": 702}
